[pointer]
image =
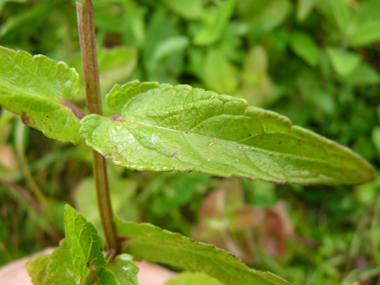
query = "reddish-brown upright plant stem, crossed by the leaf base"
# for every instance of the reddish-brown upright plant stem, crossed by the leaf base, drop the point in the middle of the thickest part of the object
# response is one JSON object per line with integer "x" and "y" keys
{"x": 94, "y": 106}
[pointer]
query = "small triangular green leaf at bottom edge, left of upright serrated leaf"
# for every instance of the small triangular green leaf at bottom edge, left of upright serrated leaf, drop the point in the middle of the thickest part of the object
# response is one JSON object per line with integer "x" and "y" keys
{"x": 61, "y": 269}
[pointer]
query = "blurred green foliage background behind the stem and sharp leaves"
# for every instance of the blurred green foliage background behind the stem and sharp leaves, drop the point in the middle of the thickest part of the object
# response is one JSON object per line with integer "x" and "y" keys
{"x": 315, "y": 61}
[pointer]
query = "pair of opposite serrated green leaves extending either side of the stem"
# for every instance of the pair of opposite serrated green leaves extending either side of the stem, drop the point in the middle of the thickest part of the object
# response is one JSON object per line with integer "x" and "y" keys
{"x": 165, "y": 128}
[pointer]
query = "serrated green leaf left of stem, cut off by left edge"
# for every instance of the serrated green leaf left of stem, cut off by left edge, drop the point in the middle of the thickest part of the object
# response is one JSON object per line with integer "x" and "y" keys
{"x": 38, "y": 89}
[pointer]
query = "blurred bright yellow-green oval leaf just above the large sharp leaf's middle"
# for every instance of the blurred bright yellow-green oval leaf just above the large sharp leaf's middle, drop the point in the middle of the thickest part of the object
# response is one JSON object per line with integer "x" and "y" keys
{"x": 219, "y": 73}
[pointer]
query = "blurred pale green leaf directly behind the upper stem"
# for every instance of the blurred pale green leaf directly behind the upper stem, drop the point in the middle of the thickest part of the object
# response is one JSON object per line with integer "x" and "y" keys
{"x": 115, "y": 66}
